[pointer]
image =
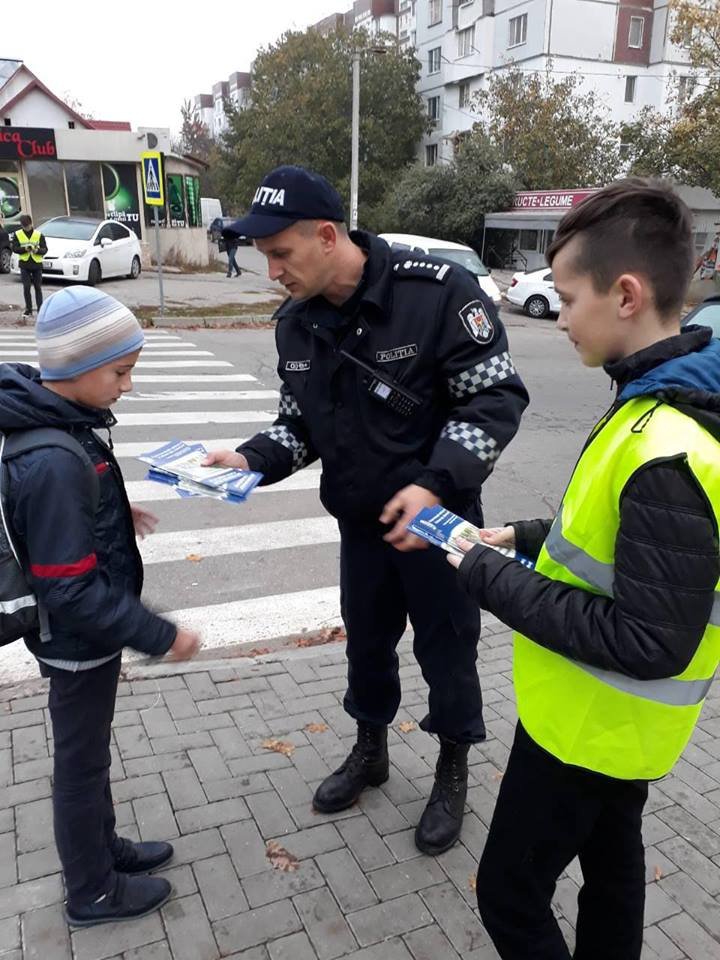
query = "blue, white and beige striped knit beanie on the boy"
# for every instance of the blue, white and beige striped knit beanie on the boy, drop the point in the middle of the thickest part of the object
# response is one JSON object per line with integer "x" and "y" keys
{"x": 80, "y": 329}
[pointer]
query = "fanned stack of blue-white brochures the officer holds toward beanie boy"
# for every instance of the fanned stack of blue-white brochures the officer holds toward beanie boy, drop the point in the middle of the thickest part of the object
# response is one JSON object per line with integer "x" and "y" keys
{"x": 180, "y": 465}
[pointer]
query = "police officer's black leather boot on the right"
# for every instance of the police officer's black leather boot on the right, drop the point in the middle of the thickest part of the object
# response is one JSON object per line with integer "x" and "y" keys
{"x": 441, "y": 821}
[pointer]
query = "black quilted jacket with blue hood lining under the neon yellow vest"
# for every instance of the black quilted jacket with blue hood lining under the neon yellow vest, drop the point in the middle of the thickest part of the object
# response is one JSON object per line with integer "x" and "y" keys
{"x": 666, "y": 560}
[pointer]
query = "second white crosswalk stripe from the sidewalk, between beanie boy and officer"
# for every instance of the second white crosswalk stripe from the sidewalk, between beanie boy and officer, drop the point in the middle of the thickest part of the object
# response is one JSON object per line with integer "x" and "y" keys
{"x": 239, "y": 538}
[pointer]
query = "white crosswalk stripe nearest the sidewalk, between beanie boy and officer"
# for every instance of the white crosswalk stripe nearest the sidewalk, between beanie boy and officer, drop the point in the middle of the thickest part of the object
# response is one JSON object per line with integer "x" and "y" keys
{"x": 261, "y": 619}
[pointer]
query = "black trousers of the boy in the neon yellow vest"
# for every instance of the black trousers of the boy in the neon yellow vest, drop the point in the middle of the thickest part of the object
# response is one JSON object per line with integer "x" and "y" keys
{"x": 547, "y": 813}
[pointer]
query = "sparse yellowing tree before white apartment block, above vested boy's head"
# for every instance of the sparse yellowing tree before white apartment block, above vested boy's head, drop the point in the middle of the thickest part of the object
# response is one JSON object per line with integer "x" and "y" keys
{"x": 550, "y": 133}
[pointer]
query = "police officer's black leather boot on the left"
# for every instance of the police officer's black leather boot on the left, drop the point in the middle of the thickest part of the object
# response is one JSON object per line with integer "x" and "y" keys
{"x": 367, "y": 765}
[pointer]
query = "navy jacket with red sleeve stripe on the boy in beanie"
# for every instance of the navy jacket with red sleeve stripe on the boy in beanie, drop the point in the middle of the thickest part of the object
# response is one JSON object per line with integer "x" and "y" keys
{"x": 86, "y": 570}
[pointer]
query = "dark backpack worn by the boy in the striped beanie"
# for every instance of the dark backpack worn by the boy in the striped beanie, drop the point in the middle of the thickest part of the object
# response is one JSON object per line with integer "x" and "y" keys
{"x": 20, "y": 612}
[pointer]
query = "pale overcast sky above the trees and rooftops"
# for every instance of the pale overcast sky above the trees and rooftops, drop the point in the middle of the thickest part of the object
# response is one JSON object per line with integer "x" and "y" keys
{"x": 138, "y": 61}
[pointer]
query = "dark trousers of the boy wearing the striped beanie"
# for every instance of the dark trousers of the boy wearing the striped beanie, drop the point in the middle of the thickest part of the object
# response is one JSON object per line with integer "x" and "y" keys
{"x": 82, "y": 705}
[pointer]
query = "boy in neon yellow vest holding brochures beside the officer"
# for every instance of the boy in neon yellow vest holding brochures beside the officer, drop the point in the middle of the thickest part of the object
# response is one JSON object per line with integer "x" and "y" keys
{"x": 618, "y": 627}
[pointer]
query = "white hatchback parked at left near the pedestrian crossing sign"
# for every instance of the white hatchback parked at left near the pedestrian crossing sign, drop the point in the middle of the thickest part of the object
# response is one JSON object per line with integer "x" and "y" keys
{"x": 87, "y": 250}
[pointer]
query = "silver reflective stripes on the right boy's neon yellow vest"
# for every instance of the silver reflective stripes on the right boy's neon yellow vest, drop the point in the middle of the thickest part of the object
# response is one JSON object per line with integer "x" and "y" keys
{"x": 670, "y": 691}
